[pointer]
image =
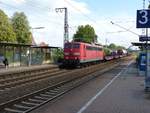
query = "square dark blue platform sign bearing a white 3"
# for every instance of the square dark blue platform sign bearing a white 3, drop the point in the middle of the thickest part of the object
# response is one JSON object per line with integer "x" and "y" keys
{"x": 143, "y": 18}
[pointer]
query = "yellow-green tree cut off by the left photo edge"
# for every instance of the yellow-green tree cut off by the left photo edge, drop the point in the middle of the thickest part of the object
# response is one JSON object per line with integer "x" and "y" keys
{"x": 6, "y": 31}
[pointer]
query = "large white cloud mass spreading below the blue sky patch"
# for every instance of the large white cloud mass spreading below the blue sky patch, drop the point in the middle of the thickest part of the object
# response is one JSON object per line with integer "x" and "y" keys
{"x": 42, "y": 13}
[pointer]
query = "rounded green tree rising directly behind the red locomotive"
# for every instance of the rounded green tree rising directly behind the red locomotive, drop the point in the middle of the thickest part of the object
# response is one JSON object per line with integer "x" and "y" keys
{"x": 85, "y": 34}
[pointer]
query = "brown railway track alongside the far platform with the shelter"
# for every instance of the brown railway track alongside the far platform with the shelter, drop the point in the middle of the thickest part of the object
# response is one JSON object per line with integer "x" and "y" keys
{"x": 15, "y": 80}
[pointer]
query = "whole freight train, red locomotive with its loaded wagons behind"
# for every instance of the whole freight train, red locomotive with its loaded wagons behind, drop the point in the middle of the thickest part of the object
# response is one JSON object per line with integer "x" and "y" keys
{"x": 80, "y": 53}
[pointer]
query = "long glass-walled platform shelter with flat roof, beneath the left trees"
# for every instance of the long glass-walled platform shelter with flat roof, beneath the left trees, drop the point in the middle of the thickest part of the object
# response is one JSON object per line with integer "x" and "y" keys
{"x": 26, "y": 55}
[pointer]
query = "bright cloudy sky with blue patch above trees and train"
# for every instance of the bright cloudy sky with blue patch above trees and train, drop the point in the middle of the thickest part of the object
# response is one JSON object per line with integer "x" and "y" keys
{"x": 97, "y": 13}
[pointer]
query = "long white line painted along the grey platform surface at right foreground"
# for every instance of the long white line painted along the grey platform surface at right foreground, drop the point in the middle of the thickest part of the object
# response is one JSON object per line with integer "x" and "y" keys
{"x": 101, "y": 91}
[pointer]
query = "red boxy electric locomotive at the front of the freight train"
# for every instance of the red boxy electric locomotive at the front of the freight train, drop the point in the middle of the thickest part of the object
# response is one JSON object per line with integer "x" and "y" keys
{"x": 78, "y": 53}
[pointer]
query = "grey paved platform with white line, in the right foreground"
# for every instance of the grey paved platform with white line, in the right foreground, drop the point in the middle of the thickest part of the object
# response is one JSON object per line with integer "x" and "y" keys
{"x": 121, "y": 90}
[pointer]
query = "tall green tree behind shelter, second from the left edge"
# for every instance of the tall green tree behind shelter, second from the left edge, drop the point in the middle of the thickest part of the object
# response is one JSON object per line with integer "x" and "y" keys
{"x": 21, "y": 28}
